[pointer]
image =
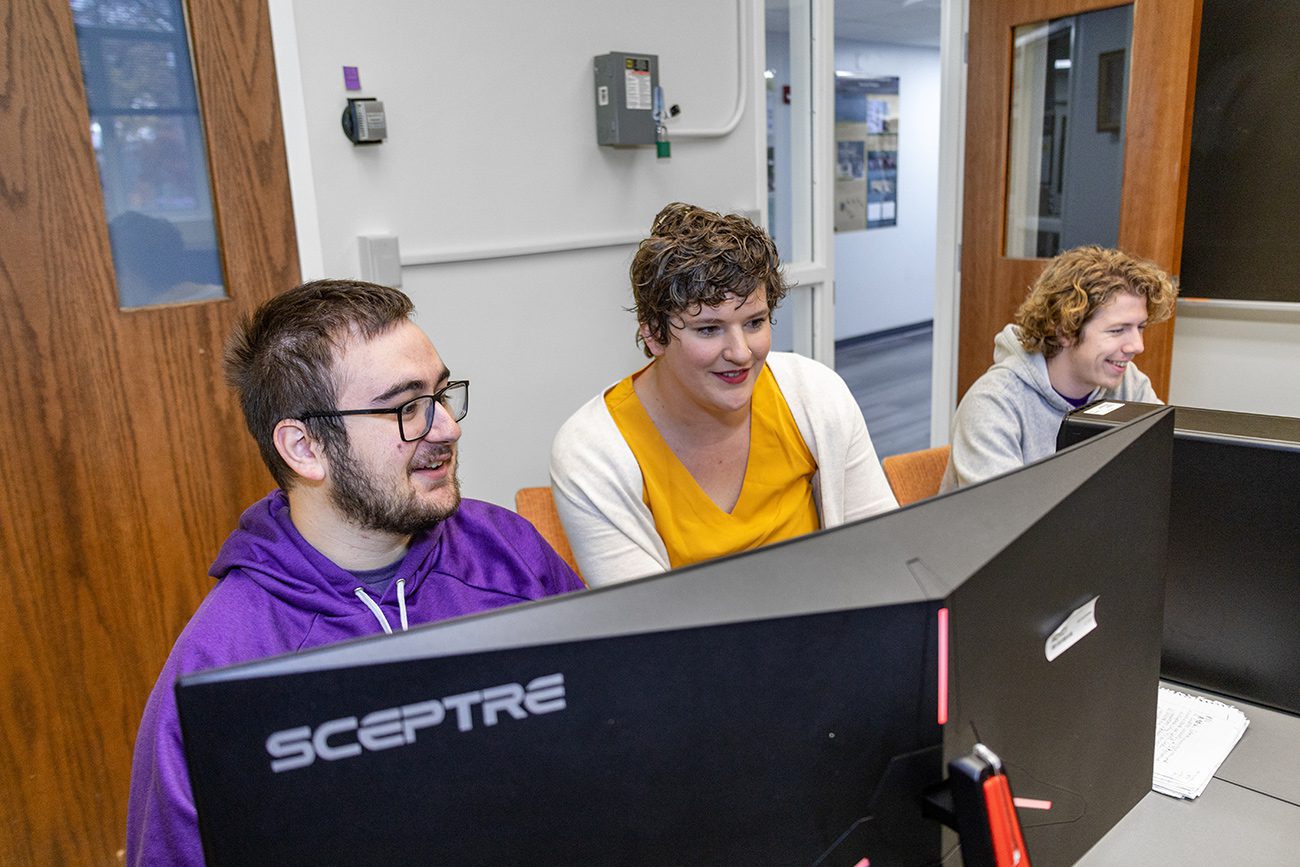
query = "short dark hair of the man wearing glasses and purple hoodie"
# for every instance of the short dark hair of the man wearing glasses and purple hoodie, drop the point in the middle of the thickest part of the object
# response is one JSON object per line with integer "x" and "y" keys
{"x": 280, "y": 359}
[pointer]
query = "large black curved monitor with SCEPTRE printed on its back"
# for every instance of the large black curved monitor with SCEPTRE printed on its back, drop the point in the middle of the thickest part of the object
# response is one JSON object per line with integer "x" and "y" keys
{"x": 779, "y": 706}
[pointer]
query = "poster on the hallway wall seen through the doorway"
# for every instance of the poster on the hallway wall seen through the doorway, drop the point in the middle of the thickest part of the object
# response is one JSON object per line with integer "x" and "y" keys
{"x": 866, "y": 141}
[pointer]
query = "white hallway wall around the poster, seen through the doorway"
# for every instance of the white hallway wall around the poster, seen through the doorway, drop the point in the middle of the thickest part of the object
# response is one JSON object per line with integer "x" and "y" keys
{"x": 886, "y": 278}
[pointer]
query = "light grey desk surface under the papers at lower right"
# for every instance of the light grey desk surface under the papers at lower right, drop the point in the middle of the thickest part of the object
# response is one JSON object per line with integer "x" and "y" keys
{"x": 1250, "y": 813}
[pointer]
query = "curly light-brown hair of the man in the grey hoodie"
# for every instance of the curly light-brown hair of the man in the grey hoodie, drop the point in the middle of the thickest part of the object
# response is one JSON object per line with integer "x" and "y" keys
{"x": 1078, "y": 283}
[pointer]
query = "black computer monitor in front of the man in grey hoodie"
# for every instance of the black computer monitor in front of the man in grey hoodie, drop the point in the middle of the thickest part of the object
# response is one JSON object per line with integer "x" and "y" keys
{"x": 1233, "y": 600}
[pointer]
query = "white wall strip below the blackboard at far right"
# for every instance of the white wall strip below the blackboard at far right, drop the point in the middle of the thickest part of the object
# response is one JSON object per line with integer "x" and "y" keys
{"x": 1245, "y": 361}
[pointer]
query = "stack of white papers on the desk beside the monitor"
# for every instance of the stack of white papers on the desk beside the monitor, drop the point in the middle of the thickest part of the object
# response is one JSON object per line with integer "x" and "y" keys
{"x": 1194, "y": 736}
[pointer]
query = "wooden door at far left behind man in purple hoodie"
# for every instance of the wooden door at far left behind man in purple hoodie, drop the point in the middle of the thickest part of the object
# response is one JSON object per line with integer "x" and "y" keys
{"x": 124, "y": 458}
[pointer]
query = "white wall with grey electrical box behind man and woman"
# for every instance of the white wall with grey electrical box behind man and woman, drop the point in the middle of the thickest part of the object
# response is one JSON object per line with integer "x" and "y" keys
{"x": 492, "y": 144}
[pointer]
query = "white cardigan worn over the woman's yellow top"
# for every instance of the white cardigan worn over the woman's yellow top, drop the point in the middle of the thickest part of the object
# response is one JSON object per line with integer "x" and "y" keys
{"x": 597, "y": 483}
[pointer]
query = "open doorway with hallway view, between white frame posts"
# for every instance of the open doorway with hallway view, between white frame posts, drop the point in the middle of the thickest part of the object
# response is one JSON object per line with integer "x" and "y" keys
{"x": 887, "y": 118}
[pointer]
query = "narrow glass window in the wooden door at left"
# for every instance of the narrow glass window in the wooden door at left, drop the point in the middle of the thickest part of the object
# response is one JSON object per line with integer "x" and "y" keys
{"x": 149, "y": 144}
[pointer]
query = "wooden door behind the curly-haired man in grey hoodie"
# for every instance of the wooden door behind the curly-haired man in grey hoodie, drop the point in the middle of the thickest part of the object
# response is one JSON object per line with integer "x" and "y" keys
{"x": 1162, "y": 79}
